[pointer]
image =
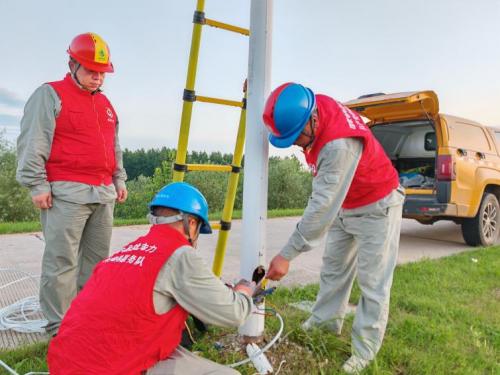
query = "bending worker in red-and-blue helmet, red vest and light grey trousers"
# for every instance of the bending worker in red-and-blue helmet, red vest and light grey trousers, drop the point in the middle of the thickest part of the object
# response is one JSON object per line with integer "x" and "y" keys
{"x": 356, "y": 200}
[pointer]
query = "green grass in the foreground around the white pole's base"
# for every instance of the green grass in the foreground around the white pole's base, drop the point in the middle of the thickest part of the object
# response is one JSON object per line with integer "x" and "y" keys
{"x": 444, "y": 319}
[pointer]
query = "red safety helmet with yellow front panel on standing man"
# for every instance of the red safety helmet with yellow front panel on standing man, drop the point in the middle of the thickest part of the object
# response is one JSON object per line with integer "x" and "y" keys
{"x": 91, "y": 51}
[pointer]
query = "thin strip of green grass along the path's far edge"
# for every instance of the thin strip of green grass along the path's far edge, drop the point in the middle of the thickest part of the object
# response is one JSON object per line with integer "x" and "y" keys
{"x": 34, "y": 226}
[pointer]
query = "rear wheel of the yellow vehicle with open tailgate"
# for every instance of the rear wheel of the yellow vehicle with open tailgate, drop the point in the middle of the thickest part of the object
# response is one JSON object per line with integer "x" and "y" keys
{"x": 482, "y": 229}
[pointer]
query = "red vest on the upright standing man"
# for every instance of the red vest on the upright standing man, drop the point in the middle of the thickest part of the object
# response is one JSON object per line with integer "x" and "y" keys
{"x": 83, "y": 147}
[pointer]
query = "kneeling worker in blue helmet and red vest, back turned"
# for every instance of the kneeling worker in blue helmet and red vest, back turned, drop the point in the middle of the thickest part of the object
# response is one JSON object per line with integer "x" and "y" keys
{"x": 129, "y": 317}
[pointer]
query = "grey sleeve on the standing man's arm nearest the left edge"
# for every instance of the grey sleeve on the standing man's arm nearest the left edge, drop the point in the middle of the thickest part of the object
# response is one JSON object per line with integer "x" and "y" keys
{"x": 35, "y": 140}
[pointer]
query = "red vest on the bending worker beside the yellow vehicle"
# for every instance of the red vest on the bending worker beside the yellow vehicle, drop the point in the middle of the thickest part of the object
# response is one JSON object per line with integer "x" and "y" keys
{"x": 375, "y": 177}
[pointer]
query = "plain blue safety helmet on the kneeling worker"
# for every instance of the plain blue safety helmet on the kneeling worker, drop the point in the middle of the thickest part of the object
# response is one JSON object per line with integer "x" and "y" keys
{"x": 185, "y": 198}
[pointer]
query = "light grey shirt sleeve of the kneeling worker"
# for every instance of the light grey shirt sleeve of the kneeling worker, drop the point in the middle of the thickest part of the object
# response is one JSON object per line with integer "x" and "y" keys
{"x": 186, "y": 279}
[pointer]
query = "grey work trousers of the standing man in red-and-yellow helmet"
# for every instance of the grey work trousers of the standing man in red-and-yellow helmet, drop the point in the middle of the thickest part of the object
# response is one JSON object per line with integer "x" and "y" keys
{"x": 77, "y": 237}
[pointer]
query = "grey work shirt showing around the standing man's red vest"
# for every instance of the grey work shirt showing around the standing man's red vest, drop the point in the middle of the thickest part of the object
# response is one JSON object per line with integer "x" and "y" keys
{"x": 33, "y": 150}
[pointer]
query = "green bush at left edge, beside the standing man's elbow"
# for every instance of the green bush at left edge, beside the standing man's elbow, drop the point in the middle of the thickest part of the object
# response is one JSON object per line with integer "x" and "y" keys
{"x": 15, "y": 200}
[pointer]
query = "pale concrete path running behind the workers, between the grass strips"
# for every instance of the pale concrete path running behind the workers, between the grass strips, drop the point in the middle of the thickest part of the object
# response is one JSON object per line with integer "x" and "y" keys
{"x": 24, "y": 251}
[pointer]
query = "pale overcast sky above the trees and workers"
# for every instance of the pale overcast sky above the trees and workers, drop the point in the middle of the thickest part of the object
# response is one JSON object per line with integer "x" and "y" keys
{"x": 343, "y": 48}
